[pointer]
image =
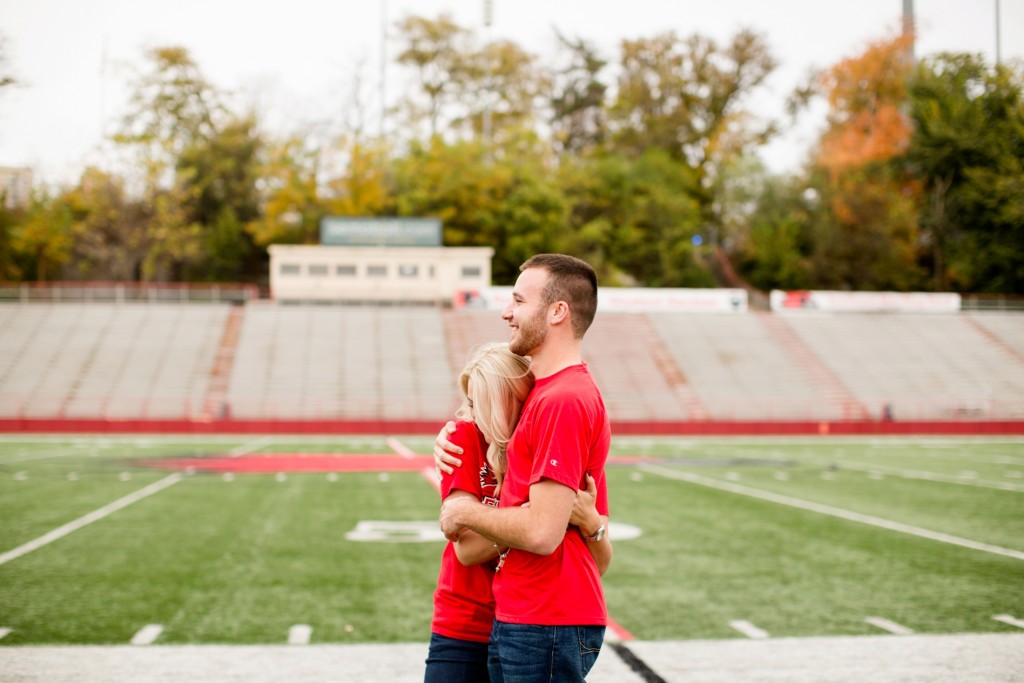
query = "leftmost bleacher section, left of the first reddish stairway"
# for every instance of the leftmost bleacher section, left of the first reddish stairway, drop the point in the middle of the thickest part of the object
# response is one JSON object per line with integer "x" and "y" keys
{"x": 109, "y": 361}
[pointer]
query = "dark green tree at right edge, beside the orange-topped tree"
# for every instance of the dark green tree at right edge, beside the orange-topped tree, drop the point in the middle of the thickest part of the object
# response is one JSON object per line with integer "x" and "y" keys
{"x": 968, "y": 148}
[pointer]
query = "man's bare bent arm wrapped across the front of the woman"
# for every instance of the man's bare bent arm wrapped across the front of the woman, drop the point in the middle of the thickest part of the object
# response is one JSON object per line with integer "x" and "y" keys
{"x": 538, "y": 528}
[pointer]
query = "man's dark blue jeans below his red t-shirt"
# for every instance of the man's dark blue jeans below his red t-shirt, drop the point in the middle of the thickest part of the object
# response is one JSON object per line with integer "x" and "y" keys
{"x": 524, "y": 654}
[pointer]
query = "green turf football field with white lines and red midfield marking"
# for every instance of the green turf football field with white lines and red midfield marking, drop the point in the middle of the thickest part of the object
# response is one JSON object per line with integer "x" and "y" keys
{"x": 333, "y": 541}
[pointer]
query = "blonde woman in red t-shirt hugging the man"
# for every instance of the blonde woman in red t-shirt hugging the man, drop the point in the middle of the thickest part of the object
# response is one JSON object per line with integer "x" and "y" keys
{"x": 495, "y": 383}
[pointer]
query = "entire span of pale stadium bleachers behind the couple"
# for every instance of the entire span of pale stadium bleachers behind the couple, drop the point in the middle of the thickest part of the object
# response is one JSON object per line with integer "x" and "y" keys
{"x": 271, "y": 362}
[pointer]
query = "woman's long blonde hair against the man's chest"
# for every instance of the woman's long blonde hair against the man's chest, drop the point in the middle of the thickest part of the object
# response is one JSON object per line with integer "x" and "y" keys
{"x": 501, "y": 383}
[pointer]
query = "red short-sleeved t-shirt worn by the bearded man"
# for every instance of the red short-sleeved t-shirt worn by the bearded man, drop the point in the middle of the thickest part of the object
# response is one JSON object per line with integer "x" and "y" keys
{"x": 563, "y": 435}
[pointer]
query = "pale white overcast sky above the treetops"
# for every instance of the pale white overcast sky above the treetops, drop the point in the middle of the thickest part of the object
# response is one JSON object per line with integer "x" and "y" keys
{"x": 296, "y": 62}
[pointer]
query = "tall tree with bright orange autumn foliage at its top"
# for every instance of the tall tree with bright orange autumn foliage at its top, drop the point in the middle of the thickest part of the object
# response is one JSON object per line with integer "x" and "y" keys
{"x": 871, "y": 242}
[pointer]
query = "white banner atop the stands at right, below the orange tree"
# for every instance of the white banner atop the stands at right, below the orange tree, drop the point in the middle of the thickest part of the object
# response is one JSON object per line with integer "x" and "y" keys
{"x": 865, "y": 303}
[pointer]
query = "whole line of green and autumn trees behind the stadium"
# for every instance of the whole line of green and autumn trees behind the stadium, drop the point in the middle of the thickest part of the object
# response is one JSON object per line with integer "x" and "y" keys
{"x": 647, "y": 166}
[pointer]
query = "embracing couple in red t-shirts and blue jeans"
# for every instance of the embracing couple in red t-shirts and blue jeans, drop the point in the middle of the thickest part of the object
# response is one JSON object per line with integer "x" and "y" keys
{"x": 526, "y": 508}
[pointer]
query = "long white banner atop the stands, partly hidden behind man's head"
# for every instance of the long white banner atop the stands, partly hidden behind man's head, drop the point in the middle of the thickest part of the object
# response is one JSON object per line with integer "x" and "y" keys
{"x": 634, "y": 301}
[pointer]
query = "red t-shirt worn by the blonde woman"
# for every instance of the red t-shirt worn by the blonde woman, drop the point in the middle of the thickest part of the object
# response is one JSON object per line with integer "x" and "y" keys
{"x": 464, "y": 606}
